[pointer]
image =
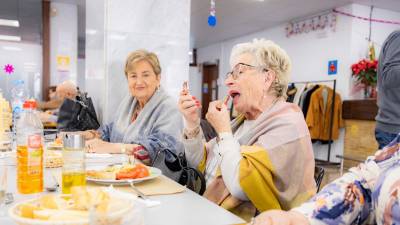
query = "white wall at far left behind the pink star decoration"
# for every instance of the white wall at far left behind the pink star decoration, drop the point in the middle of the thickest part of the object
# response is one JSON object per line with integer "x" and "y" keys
{"x": 27, "y": 62}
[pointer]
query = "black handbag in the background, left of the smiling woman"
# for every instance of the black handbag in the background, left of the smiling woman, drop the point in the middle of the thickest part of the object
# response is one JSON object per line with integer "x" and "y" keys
{"x": 77, "y": 115}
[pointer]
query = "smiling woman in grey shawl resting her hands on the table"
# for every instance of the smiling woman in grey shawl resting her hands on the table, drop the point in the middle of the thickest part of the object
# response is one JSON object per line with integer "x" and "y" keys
{"x": 146, "y": 120}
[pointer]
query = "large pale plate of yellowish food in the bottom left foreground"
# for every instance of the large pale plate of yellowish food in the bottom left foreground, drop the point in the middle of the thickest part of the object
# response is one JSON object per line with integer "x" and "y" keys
{"x": 83, "y": 206}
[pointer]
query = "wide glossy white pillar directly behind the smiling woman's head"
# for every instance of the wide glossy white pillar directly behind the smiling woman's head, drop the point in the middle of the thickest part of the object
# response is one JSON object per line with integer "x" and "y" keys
{"x": 156, "y": 25}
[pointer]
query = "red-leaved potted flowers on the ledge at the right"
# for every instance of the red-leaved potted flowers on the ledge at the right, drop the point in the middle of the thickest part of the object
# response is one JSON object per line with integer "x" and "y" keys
{"x": 365, "y": 72}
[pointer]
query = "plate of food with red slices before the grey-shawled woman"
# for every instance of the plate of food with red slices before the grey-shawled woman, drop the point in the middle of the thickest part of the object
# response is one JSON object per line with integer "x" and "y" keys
{"x": 121, "y": 174}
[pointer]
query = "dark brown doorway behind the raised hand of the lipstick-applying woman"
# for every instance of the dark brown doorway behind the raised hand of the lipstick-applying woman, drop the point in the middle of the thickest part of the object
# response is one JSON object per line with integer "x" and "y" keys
{"x": 209, "y": 87}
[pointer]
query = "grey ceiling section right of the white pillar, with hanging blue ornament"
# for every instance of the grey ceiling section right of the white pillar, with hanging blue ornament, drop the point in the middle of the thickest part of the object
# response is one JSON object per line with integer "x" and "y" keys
{"x": 239, "y": 17}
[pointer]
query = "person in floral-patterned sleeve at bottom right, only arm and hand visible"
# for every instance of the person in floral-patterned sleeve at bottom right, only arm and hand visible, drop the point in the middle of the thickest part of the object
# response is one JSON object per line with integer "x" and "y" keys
{"x": 367, "y": 194}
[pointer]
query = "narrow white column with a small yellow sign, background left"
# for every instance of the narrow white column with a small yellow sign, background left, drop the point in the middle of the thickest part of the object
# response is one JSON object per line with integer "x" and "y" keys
{"x": 63, "y": 40}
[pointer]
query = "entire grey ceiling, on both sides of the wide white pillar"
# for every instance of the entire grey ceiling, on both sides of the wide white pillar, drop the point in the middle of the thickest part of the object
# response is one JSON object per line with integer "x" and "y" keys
{"x": 235, "y": 17}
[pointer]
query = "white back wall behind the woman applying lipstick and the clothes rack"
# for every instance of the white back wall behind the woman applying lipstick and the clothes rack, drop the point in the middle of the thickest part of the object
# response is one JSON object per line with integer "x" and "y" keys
{"x": 311, "y": 52}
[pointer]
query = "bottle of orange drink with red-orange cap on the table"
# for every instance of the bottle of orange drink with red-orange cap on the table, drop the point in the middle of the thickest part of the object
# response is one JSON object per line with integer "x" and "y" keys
{"x": 29, "y": 131}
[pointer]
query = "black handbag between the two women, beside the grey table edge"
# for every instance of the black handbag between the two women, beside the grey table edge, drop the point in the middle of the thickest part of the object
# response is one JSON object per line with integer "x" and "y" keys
{"x": 175, "y": 167}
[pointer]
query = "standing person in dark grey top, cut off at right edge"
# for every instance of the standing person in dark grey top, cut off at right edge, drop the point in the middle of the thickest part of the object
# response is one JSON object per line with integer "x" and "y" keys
{"x": 388, "y": 118}
